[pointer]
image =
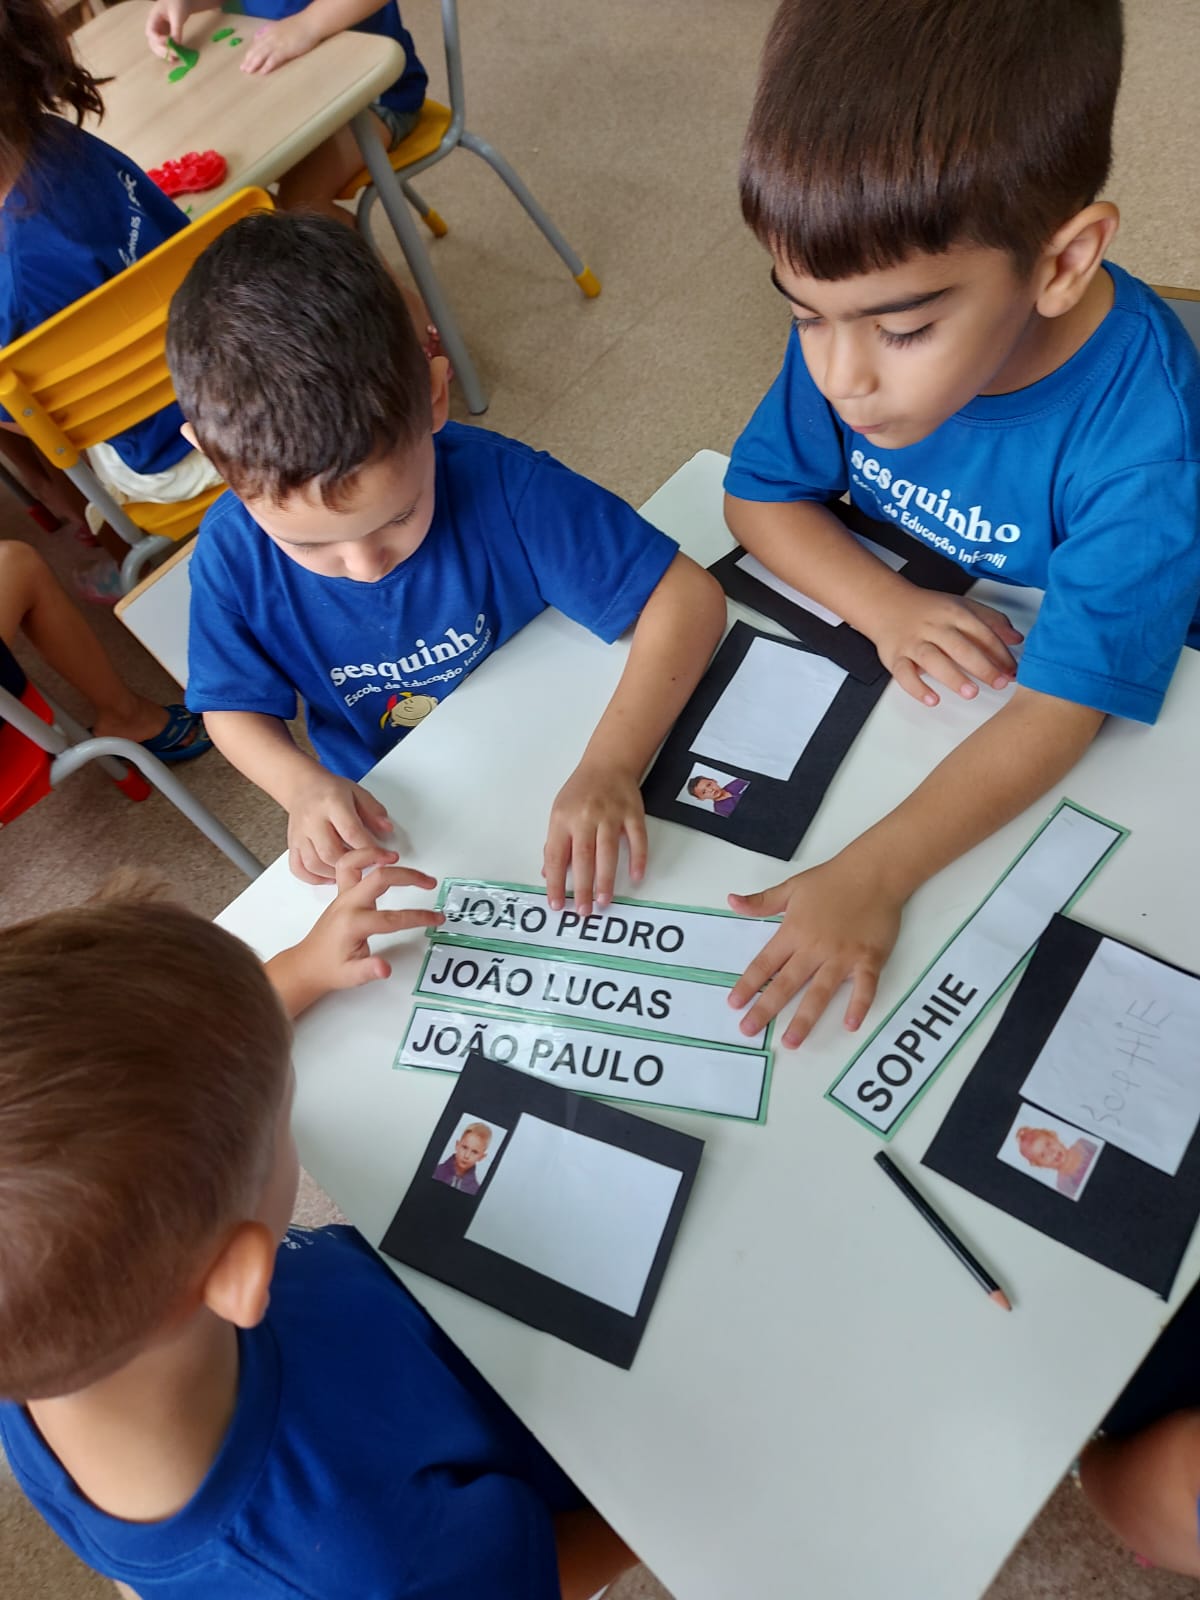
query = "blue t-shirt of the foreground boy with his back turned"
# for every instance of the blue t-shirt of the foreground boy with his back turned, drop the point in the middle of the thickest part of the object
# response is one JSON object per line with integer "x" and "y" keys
{"x": 366, "y": 1458}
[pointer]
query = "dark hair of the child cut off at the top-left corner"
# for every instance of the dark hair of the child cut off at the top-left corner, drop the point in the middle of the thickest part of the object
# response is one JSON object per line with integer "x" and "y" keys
{"x": 38, "y": 74}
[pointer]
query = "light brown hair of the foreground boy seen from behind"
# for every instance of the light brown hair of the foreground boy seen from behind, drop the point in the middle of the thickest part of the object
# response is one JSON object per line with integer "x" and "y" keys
{"x": 143, "y": 1062}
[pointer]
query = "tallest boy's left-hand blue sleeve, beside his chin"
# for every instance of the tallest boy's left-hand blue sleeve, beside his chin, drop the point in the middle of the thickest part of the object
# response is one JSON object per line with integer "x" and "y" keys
{"x": 791, "y": 449}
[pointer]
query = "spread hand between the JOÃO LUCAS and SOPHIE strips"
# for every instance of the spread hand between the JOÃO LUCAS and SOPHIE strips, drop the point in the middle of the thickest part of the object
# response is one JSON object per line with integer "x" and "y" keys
{"x": 839, "y": 924}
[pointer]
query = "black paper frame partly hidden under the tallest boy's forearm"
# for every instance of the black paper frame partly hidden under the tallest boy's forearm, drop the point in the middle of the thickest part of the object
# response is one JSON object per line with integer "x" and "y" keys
{"x": 841, "y": 642}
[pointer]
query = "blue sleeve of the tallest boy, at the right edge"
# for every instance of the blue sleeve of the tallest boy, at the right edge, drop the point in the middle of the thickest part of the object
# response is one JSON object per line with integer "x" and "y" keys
{"x": 1122, "y": 591}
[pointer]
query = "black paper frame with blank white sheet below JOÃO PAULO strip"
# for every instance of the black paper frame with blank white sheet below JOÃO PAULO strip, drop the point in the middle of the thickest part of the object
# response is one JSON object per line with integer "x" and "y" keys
{"x": 430, "y": 1228}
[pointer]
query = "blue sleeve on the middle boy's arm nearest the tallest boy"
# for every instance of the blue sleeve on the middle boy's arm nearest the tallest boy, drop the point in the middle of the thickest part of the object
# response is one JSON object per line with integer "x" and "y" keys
{"x": 591, "y": 554}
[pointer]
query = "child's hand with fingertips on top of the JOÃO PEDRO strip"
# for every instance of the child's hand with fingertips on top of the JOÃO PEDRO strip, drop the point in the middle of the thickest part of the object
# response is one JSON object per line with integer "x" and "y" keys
{"x": 591, "y": 814}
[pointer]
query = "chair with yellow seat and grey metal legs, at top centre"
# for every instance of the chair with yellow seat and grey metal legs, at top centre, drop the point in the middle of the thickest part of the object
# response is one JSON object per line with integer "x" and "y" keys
{"x": 439, "y": 132}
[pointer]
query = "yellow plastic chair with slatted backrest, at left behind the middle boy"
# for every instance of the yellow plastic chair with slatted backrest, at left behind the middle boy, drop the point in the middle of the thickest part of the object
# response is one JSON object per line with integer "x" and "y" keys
{"x": 100, "y": 367}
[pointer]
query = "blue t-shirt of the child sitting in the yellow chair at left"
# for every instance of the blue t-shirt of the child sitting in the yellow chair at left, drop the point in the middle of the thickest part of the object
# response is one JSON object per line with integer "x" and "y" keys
{"x": 79, "y": 215}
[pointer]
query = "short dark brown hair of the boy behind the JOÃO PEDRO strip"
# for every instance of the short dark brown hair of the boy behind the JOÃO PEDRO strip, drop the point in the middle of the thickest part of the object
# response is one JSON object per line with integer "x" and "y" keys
{"x": 294, "y": 358}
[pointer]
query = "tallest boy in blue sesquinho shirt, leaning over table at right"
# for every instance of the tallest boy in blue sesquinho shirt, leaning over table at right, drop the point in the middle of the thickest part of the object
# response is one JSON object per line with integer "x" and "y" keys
{"x": 966, "y": 366}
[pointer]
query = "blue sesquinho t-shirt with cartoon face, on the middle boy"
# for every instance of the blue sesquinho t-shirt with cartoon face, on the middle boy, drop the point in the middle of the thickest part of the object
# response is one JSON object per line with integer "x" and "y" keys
{"x": 513, "y": 532}
